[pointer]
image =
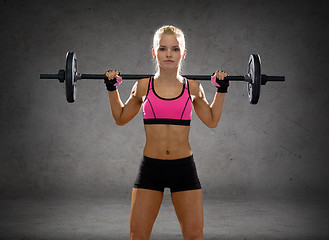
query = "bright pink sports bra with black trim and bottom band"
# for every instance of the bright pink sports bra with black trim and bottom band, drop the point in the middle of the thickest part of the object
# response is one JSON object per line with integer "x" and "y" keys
{"x": 172, "y": 111}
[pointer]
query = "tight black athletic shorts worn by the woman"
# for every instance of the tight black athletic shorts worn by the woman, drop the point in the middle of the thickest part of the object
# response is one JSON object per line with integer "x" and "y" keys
{"x": 178, "y": 175}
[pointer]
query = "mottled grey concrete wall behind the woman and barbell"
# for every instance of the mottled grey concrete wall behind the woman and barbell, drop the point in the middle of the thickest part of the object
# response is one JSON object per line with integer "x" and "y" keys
{"x": 277, "y": 147}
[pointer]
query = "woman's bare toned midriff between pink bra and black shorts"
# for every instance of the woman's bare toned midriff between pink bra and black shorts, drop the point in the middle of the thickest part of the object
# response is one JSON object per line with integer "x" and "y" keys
{"x": 167, "y": 142}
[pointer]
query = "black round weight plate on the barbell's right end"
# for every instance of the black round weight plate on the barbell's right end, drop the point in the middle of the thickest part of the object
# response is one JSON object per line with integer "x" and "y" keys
{"x": 255, "y": 75}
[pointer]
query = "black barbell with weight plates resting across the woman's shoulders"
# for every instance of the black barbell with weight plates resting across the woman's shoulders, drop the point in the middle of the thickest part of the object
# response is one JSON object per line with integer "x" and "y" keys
{"x": 70, "y": 76}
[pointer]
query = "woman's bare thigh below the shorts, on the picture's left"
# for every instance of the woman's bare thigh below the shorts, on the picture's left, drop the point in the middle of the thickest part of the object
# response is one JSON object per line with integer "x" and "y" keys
{"x": 145, "y": 205}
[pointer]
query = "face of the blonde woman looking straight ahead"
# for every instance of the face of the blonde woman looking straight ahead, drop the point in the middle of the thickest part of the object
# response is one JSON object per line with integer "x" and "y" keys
{"x": 169, "y": 53}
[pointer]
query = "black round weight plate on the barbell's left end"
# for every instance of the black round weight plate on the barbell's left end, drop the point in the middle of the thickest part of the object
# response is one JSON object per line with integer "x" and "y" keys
{"x": 70, "y": 76}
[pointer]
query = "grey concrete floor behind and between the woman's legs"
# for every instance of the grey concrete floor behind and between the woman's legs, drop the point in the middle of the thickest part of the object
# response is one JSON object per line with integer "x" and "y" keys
{"x": 108, "y": 218}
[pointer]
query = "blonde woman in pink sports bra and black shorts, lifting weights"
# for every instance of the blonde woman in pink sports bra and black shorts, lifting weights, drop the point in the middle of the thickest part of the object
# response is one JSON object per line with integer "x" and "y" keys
{"x": 167, "y": 100}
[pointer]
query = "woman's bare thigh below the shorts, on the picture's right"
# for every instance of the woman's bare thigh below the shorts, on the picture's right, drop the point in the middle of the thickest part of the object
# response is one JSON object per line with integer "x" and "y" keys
{"x": 189, "y": 211}
